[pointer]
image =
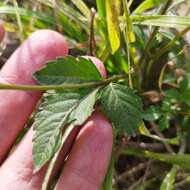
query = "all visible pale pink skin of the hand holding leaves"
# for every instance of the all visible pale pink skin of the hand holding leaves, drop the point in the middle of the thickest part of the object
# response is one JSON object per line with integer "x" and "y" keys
{"x": 89, "y": 157}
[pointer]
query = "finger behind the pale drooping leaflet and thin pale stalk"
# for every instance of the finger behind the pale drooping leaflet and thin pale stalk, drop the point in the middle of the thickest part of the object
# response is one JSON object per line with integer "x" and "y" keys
{"x": 17, "y": 171}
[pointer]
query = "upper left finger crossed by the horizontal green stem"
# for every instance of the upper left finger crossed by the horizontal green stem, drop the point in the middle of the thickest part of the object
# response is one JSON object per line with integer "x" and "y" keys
{"x": 17, "y": 106}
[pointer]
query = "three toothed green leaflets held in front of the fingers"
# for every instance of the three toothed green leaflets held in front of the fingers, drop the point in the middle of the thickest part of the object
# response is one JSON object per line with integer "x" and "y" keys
{"x": 59, "y": 109}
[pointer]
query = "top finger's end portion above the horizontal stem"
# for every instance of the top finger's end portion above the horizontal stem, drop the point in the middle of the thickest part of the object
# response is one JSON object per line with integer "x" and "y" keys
{"x": 40, "y": 47}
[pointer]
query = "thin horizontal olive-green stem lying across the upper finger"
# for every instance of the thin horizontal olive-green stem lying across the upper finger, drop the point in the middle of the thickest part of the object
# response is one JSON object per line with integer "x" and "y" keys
{"x": 60, "y": 87}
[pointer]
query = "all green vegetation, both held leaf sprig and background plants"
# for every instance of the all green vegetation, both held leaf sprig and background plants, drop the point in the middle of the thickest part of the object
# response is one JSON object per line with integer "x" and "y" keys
{"x": 146, "y": 95}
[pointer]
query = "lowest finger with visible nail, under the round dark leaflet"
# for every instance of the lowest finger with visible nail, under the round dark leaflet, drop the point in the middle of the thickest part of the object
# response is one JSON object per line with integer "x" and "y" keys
{"x": 88, "y": 161}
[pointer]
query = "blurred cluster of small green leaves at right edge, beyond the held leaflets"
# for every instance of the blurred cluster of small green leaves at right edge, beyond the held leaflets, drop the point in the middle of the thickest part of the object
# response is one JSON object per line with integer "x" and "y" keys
{"x": 175, "y": 104}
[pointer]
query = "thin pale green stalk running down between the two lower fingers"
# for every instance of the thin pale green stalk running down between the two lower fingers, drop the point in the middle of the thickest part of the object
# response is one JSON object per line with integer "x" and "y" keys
{"x": 55, "y": 157}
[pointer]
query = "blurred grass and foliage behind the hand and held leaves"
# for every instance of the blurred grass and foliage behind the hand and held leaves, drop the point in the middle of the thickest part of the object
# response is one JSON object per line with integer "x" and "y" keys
{"x": 149, "y": 42}
